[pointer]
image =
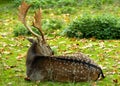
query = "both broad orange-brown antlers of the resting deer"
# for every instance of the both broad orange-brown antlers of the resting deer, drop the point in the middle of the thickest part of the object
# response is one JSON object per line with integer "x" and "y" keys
{"x": 23, "y": 9}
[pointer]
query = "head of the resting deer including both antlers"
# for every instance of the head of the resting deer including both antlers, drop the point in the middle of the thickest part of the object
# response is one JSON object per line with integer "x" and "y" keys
{"x": 41, "y": 46}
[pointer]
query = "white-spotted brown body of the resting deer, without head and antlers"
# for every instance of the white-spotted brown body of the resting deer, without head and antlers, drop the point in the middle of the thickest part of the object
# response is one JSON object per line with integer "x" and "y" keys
{"x": 74, "y": 68}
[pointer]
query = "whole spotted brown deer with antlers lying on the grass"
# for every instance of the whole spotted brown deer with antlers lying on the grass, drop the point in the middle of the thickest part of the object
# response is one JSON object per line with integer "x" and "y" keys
{"x": 43, "y": 65}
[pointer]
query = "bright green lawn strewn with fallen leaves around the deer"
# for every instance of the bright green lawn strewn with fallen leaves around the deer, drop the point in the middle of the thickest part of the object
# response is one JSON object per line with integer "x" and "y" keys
{"x": 13, "y": 51}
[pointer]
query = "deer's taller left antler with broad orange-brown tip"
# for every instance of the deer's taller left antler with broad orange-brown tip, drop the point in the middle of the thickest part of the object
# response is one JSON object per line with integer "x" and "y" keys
{"x": 23, "y": 9}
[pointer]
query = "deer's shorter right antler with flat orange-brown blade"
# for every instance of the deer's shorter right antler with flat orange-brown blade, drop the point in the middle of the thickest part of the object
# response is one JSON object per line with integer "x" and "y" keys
{"x": 37, "y": 22}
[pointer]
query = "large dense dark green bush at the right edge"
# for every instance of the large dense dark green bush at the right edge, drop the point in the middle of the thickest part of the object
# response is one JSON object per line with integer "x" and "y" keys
{"x": 101, "y": 27}
